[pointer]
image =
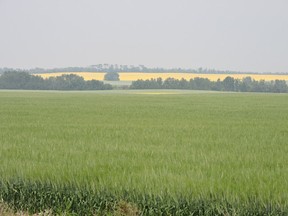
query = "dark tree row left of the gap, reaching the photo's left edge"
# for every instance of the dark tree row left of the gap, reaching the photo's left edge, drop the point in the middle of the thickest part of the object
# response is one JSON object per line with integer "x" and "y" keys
{"x": 24, "y": 80}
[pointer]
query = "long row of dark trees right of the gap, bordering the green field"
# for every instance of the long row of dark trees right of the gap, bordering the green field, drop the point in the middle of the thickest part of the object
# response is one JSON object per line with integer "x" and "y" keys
{"x": 247, "y": 84}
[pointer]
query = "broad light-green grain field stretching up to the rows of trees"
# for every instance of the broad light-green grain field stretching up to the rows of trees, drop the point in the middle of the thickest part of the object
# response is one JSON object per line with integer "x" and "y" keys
{"x": 194, "y": 146}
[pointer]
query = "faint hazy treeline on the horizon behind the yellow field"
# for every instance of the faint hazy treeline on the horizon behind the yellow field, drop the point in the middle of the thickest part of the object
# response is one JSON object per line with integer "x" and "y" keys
{"x": 127, "y": 68}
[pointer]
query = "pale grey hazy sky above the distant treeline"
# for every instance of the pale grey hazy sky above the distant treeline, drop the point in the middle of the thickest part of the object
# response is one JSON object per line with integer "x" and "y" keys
{"x": 242, "y": 35}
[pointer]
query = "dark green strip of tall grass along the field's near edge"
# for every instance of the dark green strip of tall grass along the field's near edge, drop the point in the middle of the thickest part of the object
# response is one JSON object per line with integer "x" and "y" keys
{"x": 70, "y": 199}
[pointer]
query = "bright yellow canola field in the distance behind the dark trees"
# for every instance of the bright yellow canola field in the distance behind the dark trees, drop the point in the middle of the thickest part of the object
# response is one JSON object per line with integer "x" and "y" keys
{"x": 132, "y": 76}
